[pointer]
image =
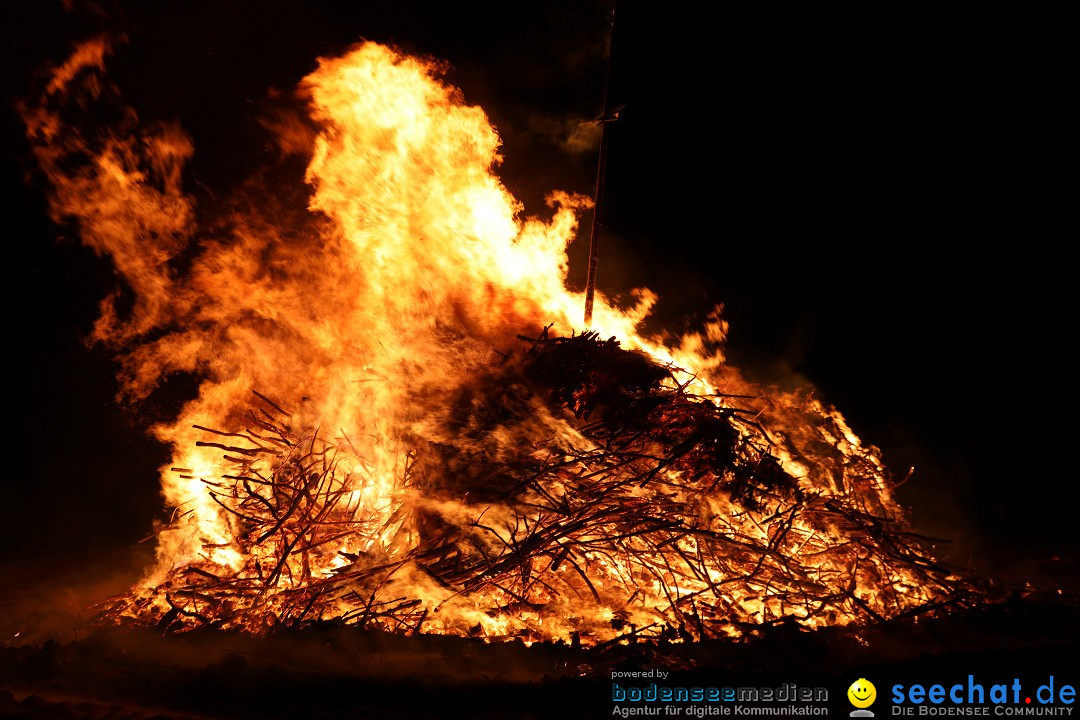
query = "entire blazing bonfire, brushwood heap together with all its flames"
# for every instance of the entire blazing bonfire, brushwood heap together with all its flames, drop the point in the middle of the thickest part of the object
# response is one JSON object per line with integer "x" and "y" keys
{"x": 373, "y": 443}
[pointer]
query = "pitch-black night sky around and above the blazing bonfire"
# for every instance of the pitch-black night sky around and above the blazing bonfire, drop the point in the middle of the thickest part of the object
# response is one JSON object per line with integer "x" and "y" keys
{"x": 876, "y": 198}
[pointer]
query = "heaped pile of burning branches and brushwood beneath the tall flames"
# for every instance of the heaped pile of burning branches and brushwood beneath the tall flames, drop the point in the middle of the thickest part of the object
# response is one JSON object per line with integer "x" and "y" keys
{"x": 579, "y": 492}
